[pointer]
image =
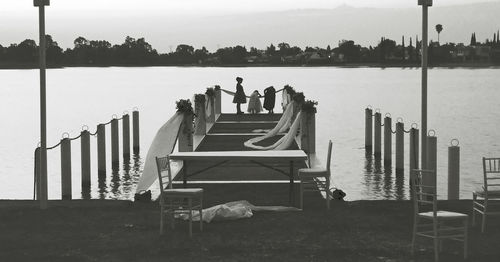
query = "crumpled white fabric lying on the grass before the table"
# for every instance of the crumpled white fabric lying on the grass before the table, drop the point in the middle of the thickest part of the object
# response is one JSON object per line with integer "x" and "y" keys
{"x": 231, "y": 211}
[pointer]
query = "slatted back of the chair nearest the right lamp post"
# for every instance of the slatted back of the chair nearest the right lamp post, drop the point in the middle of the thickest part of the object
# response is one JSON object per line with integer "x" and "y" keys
{"x": 423, "y": 195}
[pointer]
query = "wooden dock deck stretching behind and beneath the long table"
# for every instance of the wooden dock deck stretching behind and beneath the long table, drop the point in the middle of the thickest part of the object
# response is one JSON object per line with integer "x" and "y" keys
{"x": 228, "y": 133}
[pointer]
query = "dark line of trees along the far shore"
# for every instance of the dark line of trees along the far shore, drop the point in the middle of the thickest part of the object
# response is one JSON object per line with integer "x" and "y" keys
{"x": 138, "y": 52}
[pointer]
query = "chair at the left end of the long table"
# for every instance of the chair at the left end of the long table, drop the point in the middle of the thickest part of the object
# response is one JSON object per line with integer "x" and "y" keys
{"x": 177, "y": 201}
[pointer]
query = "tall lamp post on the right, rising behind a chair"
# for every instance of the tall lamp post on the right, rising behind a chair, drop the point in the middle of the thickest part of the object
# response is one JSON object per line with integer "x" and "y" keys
{"x": 425, "y": 4}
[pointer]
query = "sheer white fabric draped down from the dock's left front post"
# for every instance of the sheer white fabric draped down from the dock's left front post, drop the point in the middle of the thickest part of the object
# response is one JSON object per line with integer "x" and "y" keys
{"x": 162, "y": 145}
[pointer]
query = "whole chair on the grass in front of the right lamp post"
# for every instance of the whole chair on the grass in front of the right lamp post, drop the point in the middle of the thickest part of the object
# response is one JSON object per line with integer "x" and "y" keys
{"x": 435, "y": 224}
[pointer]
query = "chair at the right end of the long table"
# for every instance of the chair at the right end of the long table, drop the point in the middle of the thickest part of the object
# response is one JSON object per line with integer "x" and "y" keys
{"x": 314, "y": 179}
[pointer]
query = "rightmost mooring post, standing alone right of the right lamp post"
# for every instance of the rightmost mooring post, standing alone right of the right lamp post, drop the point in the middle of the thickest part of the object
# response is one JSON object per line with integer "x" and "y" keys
{"x": 454, "y": 170}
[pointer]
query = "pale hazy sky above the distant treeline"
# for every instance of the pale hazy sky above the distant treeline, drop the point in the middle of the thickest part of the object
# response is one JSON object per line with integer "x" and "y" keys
{"x": 168, "y": 23}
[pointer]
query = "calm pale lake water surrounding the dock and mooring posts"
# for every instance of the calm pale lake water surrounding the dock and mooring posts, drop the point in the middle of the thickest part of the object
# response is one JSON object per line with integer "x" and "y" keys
{"x": 463, "y": 104}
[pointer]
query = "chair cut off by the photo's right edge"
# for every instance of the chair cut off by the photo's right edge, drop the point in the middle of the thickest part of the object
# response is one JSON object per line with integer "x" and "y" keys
{"x": 482, "y": 200}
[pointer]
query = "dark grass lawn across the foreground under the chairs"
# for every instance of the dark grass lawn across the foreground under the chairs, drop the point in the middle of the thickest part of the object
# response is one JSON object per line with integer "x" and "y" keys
{"x": 105, "y": 230}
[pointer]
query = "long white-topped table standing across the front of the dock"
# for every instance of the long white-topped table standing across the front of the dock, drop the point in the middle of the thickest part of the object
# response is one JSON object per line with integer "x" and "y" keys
{"x": 256, "y": 157}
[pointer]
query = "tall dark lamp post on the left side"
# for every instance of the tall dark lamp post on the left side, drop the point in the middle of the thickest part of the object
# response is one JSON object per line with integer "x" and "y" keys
{"x": 42, "y": 187}
